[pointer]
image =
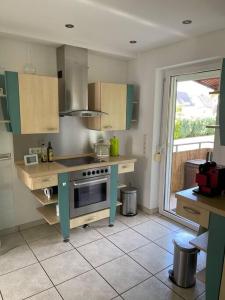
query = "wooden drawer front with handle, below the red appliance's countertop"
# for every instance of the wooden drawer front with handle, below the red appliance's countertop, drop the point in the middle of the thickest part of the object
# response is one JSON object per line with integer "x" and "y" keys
{"x": 192, "y": 212}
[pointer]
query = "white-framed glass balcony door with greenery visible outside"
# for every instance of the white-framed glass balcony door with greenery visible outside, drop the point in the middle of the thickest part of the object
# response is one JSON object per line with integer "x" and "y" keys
{"x": 191, "y": 114}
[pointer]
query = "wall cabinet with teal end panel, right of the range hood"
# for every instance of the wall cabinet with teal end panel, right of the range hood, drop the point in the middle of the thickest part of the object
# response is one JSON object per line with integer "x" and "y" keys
{"x": 114, "y": 99}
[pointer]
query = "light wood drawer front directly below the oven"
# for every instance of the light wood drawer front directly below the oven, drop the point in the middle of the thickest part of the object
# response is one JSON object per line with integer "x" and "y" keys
{"x": 89, "y": 218}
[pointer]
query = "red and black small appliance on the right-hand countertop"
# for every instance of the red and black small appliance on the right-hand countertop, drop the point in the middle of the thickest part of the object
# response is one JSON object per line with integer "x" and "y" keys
{"x": 210, "y": 179}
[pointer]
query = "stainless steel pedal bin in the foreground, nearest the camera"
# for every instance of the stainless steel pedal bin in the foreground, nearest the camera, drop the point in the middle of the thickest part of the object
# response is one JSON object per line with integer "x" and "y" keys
{"x": 184, "y": 264}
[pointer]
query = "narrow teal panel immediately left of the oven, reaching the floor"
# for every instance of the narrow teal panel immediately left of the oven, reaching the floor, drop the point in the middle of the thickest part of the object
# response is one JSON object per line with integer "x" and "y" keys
{"x": 63, "y": 201}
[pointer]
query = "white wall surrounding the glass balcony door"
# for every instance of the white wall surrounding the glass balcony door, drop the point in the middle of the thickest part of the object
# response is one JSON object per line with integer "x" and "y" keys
{"x": 145, "y": 71}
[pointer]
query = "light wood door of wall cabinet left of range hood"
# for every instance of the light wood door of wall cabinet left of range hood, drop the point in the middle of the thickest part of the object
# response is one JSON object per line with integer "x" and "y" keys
{"x": 38, "y": 104}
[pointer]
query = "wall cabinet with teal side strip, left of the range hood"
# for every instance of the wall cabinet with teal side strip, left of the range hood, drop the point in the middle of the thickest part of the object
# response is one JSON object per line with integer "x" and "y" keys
{"x": 32, "y": 103}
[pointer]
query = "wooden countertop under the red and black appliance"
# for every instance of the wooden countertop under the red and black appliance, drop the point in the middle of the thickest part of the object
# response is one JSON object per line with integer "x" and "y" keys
{"x": 212, "y": 204}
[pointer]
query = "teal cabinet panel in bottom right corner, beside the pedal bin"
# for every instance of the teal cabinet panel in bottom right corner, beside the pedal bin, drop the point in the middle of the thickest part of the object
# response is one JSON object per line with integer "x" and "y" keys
{"x": 215, "y": 256}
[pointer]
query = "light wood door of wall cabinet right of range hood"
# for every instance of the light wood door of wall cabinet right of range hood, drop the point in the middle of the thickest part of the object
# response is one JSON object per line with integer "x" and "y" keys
{"x": 113, "y": 102}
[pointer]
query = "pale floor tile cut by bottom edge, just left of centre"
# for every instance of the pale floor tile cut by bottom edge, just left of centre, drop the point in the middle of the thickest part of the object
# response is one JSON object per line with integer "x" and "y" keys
{"x": 86, "y": 286}
